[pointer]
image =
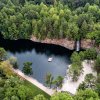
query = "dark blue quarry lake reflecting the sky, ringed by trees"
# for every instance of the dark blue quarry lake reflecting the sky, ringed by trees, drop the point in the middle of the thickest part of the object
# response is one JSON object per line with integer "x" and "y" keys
{"x": 38, "y": 54}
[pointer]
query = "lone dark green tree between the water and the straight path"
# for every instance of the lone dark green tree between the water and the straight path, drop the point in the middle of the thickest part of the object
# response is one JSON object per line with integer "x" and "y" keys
{"x": 27, "y": 69}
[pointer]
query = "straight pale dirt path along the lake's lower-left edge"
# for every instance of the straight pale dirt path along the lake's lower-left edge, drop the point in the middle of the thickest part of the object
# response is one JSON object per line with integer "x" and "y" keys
{"x": 35, "y": 82}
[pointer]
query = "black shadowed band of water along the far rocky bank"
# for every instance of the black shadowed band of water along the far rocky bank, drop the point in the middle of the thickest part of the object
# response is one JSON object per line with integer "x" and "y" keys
{"x": 23, "y": 45}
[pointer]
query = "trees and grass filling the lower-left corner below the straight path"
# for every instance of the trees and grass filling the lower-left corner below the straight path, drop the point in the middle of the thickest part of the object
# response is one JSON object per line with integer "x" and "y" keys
{"x": 13, "y": 87}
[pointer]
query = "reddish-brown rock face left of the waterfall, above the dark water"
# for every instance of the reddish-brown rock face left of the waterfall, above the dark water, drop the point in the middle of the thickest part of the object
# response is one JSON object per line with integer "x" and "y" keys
{"x": 62, "y": 42}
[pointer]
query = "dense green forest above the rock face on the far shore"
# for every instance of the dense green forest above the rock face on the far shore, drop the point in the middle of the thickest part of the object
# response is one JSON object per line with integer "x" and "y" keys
{"x": 71, "y": 19}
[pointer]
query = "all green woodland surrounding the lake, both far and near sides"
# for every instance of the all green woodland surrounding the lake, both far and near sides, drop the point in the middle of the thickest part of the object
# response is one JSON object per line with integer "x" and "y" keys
{"x": 54, "y": 19}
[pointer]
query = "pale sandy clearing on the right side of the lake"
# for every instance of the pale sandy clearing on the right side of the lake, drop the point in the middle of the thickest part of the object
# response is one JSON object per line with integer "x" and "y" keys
{"x": 70, "y": 86}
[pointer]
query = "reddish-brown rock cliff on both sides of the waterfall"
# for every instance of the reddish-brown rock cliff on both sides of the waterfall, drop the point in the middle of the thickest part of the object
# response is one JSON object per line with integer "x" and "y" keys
{"x": 70, "y": 44}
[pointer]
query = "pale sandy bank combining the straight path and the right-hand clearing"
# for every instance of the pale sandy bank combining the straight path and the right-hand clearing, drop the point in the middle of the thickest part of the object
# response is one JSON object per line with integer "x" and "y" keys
{"x": 67, "y": 86}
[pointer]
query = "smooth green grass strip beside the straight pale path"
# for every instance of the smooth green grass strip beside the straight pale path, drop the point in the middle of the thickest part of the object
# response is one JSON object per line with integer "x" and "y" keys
{"x": 35, "y": 89}
